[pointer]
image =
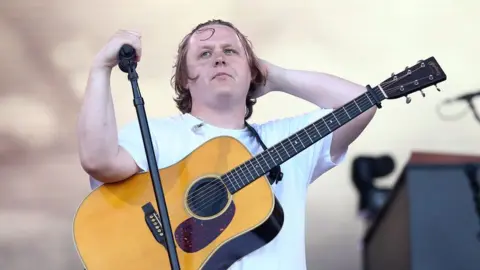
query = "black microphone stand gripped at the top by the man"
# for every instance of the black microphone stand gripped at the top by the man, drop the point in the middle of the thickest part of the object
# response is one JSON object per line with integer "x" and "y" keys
{"x": 127, "y": 63}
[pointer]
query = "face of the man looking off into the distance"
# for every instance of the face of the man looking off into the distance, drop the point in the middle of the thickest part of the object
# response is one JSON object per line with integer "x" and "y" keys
{"x": 216, "y": 55}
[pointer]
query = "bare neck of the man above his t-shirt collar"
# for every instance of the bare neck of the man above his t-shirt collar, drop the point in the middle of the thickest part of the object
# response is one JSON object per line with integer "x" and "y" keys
{"x": 230, "y": 119}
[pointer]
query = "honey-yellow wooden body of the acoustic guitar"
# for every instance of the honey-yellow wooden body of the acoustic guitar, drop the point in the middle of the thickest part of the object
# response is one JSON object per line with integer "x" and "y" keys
{"x": 115, "y": 228}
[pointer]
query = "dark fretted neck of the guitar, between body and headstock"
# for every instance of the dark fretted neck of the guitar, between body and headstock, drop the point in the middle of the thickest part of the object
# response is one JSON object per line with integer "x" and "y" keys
{"x": 252, "y": 169}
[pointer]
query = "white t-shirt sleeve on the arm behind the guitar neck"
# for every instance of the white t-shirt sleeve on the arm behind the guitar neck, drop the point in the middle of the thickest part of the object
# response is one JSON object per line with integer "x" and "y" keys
{"x": 318, "y": 157}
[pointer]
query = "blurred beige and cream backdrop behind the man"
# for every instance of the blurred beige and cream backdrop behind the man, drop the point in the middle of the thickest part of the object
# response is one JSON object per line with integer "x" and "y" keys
{"x": 47, "y": 47}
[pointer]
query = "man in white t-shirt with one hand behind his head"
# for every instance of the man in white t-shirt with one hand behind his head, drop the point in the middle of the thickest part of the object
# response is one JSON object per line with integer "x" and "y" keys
{"x": 217, "y": 79}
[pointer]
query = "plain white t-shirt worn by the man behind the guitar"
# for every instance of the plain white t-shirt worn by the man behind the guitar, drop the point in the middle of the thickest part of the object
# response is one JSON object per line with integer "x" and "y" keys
{"x": 177, "y": 136}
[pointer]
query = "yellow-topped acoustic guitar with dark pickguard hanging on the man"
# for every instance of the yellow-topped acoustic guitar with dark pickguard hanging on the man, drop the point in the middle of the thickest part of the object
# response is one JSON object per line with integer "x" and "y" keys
{"x": 220, "y": 203}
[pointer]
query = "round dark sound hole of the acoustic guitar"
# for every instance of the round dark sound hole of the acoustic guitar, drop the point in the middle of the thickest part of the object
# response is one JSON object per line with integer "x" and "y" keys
{"x": 207, "y": 197}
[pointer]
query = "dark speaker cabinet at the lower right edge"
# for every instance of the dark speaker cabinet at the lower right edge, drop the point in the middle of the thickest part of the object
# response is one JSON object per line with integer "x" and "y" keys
{"x": 429, "y": 222}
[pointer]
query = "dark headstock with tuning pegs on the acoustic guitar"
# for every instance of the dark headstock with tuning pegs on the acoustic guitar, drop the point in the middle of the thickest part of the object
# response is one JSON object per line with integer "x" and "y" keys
{"x": 415, "y": 78}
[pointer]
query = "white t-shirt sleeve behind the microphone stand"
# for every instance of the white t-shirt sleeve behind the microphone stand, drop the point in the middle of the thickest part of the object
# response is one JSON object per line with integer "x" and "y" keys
{"x": 130, "y": 139}
